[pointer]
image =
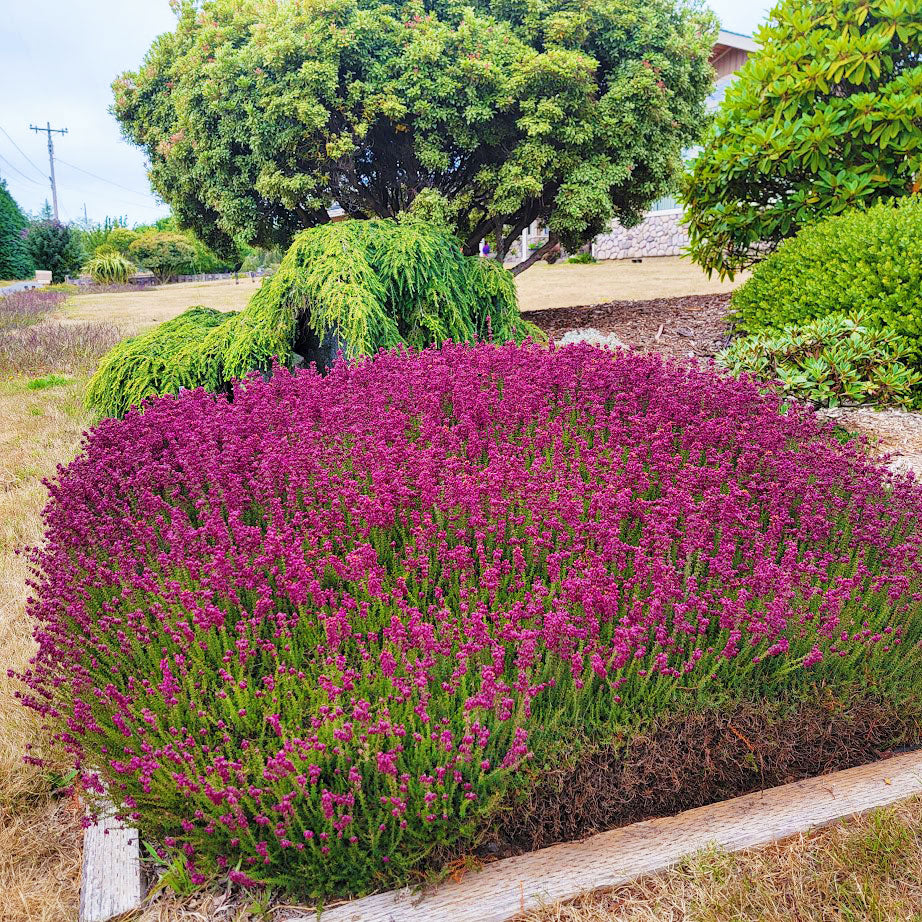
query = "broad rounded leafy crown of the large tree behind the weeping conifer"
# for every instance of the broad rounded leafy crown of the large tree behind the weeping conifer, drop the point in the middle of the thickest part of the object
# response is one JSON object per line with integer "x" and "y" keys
{"x": 258, "y": 115}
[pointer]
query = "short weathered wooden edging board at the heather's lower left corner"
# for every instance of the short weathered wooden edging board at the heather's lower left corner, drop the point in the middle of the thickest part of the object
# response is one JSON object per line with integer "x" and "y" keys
{"x": 111, "y": 880}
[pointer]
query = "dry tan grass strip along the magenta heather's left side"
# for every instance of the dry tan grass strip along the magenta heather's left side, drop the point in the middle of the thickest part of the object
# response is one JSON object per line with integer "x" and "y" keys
{"x": 39, "y": 832}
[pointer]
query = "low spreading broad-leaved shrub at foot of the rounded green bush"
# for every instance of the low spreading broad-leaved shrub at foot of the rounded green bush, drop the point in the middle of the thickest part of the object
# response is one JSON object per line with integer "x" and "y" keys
{"x": 835, "y": 360}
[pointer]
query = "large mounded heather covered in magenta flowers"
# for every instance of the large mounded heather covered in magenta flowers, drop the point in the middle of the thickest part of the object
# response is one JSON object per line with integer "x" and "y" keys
{"x": 315, "y": 634}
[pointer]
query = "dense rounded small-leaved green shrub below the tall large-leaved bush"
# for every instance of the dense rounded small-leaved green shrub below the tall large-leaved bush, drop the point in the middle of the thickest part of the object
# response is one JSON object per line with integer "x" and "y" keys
{"x": 859, "y": 261}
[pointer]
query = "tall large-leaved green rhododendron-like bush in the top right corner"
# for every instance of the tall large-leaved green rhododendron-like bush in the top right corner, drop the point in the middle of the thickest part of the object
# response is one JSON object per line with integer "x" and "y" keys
{"x": 826, "y": 115}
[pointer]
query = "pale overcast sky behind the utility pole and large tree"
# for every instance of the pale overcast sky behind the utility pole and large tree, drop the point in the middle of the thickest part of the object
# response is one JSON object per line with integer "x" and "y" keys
{"x": 57, "y": 61}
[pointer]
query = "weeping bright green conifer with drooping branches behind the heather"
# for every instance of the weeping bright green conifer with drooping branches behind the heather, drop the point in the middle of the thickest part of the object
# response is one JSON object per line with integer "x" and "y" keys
{"x": 353, "y": 286}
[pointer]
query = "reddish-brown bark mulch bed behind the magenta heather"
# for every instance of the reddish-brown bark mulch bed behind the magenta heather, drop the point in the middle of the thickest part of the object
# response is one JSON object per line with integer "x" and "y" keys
{"x": 692, "y": 326}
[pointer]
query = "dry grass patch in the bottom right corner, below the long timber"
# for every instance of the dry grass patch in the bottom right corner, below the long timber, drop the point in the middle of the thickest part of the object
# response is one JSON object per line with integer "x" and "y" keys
{"x": 862, "y": 870}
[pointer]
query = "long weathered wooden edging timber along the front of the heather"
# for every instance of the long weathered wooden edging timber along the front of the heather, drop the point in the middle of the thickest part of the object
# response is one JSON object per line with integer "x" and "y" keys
{"x": 502, "y": 890}
